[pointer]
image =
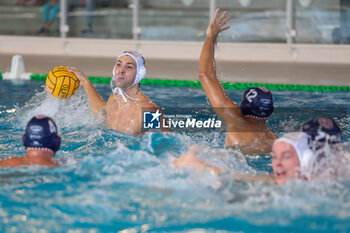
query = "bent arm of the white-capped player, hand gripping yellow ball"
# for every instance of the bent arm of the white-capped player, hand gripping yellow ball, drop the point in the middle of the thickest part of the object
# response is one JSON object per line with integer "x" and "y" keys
{"x": 97, "y": 103}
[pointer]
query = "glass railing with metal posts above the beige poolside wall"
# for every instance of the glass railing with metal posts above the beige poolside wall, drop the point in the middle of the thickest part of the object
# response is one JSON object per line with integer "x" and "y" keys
{"x": 283, "y": 21}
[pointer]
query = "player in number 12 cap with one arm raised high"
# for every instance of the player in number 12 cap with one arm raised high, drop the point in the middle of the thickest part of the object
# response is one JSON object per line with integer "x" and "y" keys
{"x": 245, "y": 124}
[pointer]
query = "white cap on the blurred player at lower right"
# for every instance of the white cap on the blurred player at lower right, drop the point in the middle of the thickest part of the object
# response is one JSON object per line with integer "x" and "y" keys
{"x": 299, "y": 141}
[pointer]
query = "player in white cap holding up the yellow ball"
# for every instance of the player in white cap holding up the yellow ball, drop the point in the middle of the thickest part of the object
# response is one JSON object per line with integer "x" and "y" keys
{"x": 123, "y": 109}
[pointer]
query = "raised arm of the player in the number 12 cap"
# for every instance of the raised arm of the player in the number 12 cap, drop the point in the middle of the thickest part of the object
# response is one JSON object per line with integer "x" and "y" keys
{"x": 207, "y": 68}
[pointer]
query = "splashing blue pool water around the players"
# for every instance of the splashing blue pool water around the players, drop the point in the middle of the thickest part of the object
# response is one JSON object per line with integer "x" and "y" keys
{"x": 111, "y": 182}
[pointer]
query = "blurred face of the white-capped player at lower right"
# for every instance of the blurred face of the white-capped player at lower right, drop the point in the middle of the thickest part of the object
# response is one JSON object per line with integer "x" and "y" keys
{"x": 285, "y": 162}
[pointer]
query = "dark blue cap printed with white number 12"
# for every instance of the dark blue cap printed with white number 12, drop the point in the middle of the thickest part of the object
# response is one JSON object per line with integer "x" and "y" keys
{"x": 257, "y": 102}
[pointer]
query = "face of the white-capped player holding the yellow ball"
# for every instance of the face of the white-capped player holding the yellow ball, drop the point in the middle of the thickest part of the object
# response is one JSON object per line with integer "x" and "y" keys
{"x": 125, "y": 70}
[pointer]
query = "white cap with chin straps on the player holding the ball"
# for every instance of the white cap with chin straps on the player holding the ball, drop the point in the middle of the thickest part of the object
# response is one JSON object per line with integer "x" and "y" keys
{"x": 140, "y": 73}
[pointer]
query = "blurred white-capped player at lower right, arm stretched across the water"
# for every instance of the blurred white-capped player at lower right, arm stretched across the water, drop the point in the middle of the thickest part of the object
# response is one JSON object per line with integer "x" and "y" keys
{"x": 292, "y": 157}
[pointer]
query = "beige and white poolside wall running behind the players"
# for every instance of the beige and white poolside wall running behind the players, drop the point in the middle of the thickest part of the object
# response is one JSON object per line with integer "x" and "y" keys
{"x": 236, "y": 62}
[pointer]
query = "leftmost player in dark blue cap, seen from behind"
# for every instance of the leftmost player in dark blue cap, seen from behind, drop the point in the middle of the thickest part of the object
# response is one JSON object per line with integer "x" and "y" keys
{"x": 41, "y": 141}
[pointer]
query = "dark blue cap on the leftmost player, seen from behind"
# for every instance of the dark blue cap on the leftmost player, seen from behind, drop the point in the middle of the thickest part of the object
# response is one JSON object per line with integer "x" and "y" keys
{"x": 41, "y": 132}
